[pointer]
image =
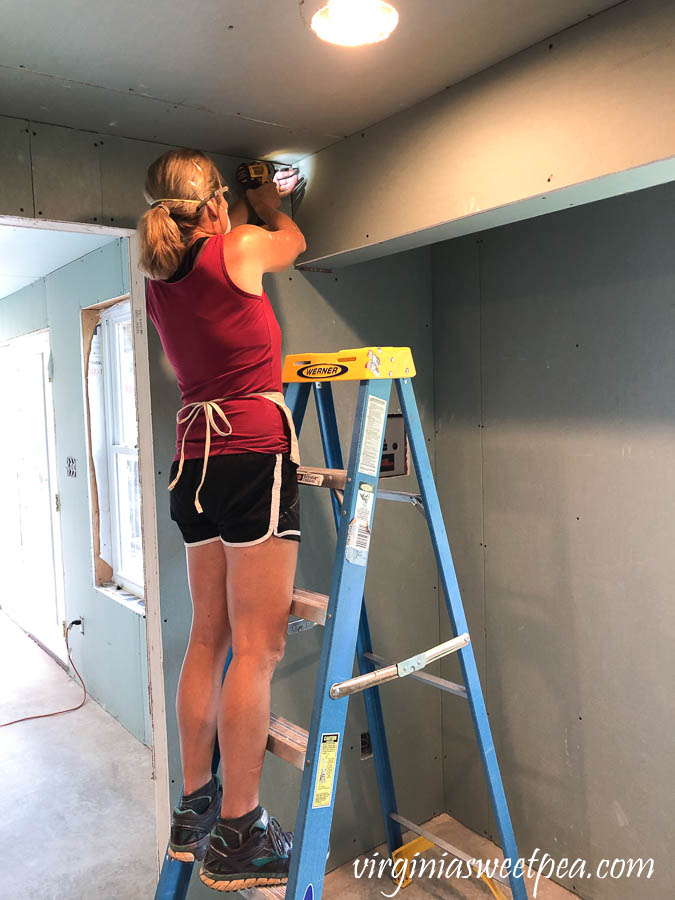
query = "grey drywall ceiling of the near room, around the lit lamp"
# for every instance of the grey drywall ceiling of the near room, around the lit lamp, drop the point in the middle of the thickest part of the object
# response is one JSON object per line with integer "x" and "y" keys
{"x": 247, "y": 79}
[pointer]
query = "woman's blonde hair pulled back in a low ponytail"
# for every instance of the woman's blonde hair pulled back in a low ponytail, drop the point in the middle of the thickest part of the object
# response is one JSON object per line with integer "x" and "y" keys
{"x": 177, "y": 184}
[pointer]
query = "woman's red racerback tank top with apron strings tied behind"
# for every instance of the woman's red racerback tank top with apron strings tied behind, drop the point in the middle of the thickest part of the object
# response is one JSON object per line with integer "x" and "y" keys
{"x": 221, "y": 342}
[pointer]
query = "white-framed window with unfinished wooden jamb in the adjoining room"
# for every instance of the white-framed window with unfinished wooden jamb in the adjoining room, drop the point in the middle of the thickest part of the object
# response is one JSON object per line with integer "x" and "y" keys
{"x": 114, "y": 449}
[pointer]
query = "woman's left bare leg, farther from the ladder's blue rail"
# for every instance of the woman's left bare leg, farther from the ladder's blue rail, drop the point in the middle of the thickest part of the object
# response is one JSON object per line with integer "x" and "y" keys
{"x": 200, "y": 680}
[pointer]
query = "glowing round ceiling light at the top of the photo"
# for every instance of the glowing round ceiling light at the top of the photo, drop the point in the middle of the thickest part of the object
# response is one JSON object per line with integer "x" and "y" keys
{"x": 352, "y": 23}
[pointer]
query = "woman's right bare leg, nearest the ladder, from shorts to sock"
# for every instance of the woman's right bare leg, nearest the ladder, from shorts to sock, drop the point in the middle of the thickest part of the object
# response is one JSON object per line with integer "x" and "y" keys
{"x": 259, "y": 593}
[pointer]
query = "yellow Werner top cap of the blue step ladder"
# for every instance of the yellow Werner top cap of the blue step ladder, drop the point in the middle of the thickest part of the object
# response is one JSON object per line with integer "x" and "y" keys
{"x": 350, "y": 365}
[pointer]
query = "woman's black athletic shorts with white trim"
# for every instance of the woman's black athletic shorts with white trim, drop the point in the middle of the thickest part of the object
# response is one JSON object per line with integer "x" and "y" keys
{"x": 246, "y": 498}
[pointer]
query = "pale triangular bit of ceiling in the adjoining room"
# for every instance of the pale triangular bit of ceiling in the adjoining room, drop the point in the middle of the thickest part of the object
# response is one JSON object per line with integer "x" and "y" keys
{"x": 28, "y": 254}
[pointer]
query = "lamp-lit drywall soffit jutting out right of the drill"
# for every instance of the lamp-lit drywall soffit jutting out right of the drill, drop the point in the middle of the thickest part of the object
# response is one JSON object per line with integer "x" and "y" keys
{"x": 584, "y": 115}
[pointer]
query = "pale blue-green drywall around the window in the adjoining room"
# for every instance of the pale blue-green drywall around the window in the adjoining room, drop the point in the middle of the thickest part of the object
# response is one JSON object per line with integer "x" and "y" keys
{"x": 111, "y": 654}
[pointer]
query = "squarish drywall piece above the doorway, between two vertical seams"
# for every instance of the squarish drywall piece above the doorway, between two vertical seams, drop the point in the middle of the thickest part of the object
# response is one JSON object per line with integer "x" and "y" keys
{"x": 66, "y": 174}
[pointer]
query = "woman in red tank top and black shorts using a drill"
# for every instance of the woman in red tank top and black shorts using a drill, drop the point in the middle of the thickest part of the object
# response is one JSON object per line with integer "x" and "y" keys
{"x": 234, "y": 497}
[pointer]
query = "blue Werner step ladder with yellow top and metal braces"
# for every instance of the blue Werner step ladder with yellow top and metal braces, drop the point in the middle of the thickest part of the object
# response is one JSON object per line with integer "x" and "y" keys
{"x": 343, "y": 615}
